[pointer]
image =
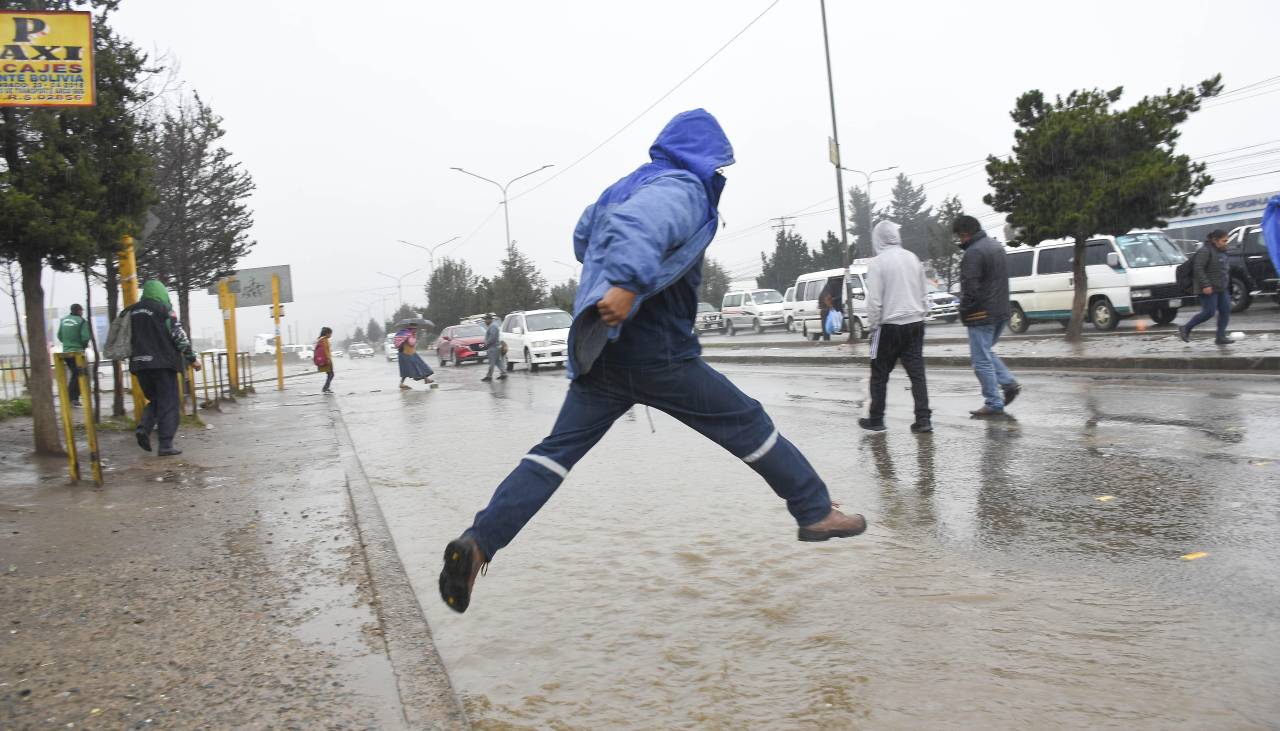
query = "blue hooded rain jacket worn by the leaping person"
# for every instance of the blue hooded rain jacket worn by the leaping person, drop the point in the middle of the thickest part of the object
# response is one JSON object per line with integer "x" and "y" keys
{"x": 647, "y": 234}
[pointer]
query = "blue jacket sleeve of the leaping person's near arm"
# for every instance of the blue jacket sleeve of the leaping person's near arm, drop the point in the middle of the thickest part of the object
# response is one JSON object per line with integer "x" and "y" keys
{"x": 641, "y": 231}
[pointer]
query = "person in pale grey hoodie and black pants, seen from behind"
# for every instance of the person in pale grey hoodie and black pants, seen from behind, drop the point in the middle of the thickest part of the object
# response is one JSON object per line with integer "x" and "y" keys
{"x": 897, "y": 307}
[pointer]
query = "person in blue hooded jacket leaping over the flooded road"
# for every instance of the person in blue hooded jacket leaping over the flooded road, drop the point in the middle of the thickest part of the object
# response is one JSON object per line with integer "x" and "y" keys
{"x": 642, "y": 249}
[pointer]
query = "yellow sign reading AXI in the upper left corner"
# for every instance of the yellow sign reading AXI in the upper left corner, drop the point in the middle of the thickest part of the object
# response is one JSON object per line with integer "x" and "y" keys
{"x": 47, "y": 58}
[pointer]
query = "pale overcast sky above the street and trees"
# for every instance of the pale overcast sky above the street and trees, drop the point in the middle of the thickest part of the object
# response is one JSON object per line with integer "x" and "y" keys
{"x": 350, "y": 118}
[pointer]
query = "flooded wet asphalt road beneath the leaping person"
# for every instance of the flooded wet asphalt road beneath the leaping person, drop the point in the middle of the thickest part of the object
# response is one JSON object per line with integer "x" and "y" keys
{"x": 1023, "y": 573}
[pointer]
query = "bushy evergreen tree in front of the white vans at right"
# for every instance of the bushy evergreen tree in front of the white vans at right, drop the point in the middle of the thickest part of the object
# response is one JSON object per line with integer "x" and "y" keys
{"x": 1081, "y": 168}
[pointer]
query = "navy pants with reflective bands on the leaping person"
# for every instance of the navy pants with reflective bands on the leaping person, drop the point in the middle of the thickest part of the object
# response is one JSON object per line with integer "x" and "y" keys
{"x": 692, "y": 392}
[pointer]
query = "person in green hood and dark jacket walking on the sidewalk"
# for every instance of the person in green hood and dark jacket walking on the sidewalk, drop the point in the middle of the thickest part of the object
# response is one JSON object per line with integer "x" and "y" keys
{"x": 161, "y": 351}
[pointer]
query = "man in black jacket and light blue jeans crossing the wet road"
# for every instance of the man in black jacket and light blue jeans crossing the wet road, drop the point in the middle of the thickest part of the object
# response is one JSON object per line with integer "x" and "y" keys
{"x": 985, "y": 312}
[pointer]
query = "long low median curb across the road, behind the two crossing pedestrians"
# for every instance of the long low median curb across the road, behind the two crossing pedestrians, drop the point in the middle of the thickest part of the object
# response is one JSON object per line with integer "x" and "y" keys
{"x": 1228, "y": 364}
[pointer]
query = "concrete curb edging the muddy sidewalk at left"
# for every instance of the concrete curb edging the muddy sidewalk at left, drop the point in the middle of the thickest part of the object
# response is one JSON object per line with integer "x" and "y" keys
{"x": 426, "y": 691}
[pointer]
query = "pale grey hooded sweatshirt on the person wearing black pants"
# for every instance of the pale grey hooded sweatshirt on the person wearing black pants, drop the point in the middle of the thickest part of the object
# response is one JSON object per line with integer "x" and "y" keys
{"x": 897, "y": 290}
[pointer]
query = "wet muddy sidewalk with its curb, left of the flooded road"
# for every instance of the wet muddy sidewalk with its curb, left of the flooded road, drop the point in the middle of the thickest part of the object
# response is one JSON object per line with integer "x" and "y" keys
{"x": 227, "y": 588}
